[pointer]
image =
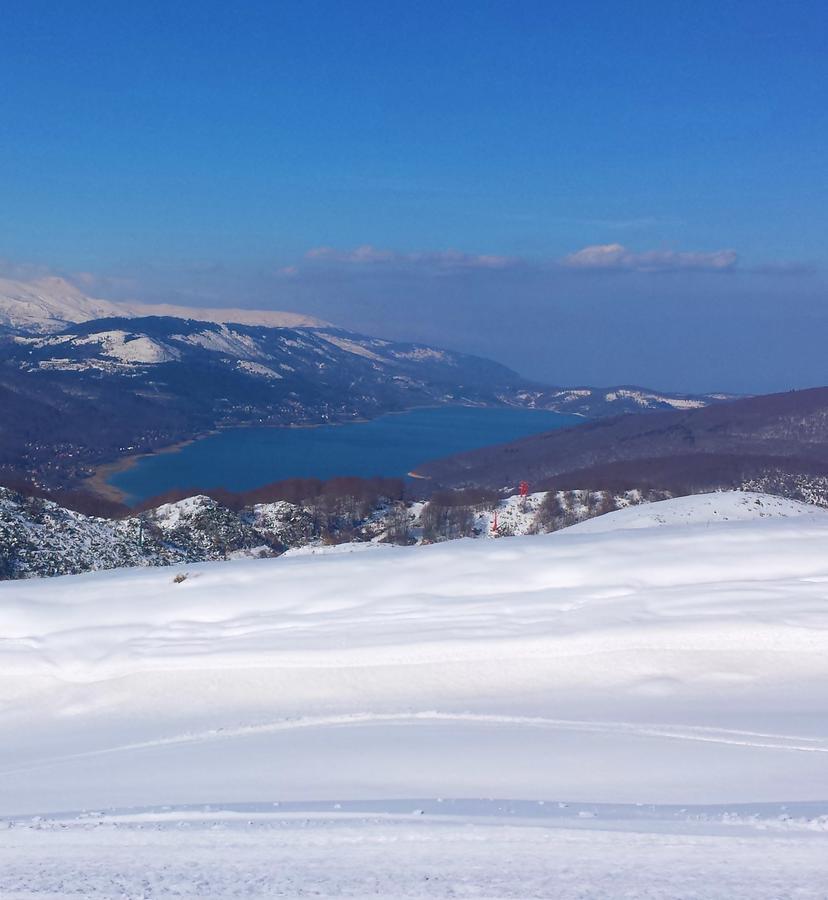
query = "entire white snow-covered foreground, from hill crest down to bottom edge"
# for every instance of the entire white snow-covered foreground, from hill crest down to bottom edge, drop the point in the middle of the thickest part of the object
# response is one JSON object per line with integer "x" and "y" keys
{"x": 633, "y": 674}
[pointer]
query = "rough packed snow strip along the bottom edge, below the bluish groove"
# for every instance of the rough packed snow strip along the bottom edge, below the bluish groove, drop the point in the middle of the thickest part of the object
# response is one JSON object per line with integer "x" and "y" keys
{"x": 398, "y": 856}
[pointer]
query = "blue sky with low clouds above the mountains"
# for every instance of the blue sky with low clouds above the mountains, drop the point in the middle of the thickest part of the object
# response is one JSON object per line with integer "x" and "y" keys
{"x": 590, "y": 192}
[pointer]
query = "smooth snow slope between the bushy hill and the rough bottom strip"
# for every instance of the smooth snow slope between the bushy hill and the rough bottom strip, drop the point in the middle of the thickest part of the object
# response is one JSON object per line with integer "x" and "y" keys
{"x": 680, "y": 664}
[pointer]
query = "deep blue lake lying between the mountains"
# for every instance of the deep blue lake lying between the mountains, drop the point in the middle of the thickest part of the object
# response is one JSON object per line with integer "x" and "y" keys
{"x": 392, "y": 445}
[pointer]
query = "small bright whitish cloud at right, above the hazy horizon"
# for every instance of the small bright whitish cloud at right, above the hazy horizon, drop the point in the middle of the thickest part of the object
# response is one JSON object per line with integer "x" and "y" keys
{"x": 616, "y": 257}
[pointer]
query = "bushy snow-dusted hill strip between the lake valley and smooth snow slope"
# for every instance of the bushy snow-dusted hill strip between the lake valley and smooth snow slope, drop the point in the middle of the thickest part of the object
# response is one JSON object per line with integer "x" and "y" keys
{"x": 40, "y": 538}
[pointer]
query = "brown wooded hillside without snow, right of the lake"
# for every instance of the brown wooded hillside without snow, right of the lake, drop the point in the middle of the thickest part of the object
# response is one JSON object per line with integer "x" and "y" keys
{"x": 775, "y": 442}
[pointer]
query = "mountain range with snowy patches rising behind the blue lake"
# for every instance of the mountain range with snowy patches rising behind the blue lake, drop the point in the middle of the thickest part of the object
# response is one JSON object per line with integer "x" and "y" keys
{"x": 83, "y": 392}
